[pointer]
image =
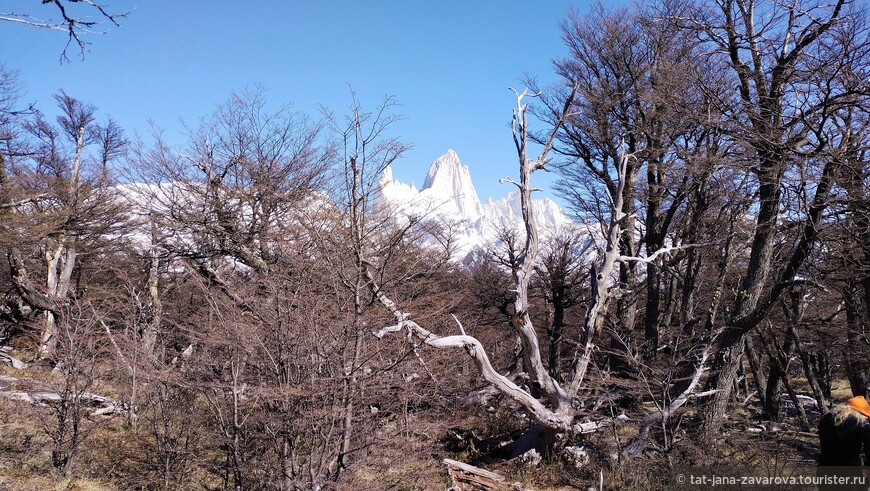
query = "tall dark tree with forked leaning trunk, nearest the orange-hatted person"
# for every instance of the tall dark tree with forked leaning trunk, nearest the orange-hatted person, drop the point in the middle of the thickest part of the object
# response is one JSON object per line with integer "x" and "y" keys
{"x": 781, "y": 112}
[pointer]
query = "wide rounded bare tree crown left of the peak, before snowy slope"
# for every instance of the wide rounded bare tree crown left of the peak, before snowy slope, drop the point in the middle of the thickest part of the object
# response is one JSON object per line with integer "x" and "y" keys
{"x": 232, "y": 193}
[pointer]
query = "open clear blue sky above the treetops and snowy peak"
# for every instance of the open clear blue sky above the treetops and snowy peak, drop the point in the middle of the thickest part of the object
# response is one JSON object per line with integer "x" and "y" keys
{"x": 448, "y": 63}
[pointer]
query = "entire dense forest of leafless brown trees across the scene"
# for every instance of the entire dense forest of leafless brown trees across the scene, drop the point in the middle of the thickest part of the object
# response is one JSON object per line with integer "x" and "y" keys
{"x": 236, "y": 313}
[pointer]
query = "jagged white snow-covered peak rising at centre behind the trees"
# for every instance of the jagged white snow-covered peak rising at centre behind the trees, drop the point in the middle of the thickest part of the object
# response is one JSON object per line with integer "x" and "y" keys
{"x": 448, "y": 196}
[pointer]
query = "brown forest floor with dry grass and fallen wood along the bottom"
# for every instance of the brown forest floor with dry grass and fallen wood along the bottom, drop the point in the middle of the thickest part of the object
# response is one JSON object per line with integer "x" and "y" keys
{"x": 414, "y": 460}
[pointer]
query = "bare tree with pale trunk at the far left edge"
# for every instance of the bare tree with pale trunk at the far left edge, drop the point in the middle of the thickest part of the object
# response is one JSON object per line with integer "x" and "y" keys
{"x": 57, "y": 187}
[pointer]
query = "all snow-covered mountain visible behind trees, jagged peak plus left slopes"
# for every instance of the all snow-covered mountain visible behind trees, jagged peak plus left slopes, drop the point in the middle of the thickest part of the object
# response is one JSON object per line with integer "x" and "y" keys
{"x": 448, "y": 198}
